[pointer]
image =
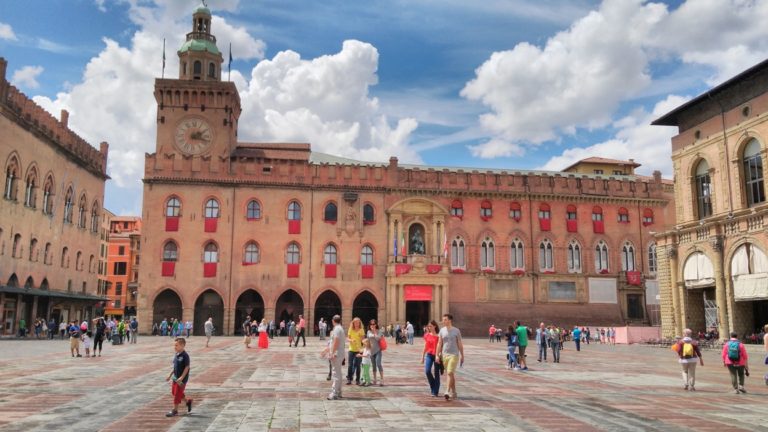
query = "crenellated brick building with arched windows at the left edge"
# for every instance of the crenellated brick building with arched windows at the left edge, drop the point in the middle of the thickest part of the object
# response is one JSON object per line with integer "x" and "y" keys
{"x": 49, "y": 214}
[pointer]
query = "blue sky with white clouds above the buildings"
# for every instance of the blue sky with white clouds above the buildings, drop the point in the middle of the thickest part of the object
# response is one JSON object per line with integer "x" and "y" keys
{"x": 513, "y": 84}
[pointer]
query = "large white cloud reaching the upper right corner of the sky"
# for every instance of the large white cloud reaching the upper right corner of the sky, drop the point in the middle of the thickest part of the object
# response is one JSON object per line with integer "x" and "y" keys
{"x": 580, "y": 76}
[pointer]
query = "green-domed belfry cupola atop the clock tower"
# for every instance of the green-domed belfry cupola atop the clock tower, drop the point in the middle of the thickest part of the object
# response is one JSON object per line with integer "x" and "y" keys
{"x": 199, "y": 58}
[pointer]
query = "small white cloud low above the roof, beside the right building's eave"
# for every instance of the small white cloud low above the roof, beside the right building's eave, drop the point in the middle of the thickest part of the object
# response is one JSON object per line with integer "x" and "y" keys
{"x": 635, "y": 138}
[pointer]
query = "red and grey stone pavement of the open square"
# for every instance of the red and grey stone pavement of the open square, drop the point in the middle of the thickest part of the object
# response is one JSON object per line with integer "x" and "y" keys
{"x": 621, "y": 388}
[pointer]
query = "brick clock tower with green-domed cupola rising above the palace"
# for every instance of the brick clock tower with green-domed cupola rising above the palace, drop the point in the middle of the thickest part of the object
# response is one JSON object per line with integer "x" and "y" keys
{"x": 197, "y": 113}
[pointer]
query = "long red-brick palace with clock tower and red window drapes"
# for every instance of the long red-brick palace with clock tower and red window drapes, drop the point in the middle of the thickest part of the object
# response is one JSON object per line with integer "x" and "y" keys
{"x": 234, "y": 228}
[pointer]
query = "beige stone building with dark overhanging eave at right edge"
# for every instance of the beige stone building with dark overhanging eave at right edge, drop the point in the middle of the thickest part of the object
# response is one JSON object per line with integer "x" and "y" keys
{"x": 714, "y": 268}
